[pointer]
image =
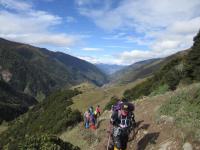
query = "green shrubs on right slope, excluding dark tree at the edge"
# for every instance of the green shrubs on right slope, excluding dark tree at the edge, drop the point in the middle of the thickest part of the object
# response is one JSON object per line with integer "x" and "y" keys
{"x": 170, "y": 75}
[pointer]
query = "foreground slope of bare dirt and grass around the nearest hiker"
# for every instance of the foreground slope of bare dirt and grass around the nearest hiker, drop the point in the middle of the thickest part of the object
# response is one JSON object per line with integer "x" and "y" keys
{"x": 167, "y": 121}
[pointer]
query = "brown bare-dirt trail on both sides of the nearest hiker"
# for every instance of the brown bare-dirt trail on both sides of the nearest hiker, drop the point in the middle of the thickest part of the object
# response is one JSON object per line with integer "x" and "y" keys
{"x": 150, "y": 135}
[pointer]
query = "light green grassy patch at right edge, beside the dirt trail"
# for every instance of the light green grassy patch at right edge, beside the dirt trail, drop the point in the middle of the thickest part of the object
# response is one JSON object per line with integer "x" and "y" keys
{"x": 184, "y": 107}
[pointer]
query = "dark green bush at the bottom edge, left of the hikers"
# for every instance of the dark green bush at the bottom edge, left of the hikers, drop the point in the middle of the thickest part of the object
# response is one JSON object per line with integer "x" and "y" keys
{"x": 44, "y": 142}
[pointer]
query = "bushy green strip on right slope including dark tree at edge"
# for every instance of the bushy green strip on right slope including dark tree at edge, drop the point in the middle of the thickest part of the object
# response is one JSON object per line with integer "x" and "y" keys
{"x": 182, "y": 69}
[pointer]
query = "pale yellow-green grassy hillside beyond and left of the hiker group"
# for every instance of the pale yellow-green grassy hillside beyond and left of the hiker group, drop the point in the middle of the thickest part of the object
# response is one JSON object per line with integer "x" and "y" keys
{"x": 92, "y": 96}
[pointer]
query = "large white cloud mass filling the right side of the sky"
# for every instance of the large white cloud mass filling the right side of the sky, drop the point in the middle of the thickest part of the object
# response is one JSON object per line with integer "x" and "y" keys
{"x": 166, "y": 26}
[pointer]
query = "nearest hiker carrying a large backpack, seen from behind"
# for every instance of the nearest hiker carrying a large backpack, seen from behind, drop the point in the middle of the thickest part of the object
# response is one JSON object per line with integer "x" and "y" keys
{"x": 122, "y": 121}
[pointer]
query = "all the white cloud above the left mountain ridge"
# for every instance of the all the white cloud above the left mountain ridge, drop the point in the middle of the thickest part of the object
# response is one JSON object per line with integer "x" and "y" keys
{"x": 32, "y": 26}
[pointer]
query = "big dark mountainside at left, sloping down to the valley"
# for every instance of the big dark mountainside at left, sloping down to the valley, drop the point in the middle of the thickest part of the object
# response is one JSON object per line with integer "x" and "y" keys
{"x": 38, "y": 71}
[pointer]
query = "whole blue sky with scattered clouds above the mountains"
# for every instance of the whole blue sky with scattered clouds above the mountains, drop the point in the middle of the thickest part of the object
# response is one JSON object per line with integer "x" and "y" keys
{"x": 103, "y": 31}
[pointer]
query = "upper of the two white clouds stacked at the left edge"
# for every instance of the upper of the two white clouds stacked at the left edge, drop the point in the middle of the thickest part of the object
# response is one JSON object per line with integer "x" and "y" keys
{"x": 35, "y": 21}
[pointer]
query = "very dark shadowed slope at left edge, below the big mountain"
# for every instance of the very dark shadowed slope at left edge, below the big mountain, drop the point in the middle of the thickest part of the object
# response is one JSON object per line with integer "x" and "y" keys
{"x": 13, "y": 103}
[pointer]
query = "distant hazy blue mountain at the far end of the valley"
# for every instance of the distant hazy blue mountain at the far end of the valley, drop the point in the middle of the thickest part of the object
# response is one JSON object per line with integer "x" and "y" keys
{"x": 109, "y": 69}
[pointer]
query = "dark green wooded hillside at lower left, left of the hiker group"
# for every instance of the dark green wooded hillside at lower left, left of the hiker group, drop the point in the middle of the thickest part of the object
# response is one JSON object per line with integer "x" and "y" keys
{"x": 49, "y": 117}
